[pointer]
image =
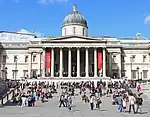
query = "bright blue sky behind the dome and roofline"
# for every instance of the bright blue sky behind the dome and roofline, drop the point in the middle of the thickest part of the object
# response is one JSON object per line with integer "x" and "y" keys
{"x": 119, "y": 18}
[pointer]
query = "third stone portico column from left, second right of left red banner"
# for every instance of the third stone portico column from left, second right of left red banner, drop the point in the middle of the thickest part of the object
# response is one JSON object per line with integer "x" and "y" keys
{"x": 61, "y": 63}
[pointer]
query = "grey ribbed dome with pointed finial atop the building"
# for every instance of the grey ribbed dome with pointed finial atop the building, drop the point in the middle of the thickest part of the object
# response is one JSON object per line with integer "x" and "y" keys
{"x": 74, "y": 18}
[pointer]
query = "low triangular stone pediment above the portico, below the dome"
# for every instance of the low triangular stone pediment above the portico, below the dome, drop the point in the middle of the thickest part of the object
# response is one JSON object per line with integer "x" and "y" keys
{"x": 74, "y": 39}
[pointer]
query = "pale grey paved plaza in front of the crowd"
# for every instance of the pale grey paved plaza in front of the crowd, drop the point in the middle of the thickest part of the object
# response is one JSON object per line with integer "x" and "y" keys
{"x": 79, "y": 109}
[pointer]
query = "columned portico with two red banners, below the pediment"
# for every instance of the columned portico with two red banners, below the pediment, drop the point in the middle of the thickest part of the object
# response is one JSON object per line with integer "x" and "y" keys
{"x": 75, "y": 62}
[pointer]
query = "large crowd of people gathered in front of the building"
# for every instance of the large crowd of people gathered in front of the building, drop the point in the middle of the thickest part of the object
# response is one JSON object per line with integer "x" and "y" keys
{"x": 91, "y": 93}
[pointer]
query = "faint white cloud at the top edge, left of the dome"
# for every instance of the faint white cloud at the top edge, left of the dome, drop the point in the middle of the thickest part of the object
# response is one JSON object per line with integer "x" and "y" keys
{"x": 52, "y": 1}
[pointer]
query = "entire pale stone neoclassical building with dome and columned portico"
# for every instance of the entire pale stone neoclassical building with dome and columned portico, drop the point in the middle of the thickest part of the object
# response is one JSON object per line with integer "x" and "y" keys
{"x": 74, "y": 54}
